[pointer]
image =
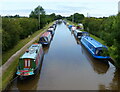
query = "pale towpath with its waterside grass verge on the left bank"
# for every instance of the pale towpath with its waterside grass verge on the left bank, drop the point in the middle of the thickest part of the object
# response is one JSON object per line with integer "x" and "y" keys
{"x": 9, "y": 68}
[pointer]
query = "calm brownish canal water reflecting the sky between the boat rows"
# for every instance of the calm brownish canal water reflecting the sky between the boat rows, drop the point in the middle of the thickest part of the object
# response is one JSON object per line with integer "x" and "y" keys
{"x": 67, "y": 65}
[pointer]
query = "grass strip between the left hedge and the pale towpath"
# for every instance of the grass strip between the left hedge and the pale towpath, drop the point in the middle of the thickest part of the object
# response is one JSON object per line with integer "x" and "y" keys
{"x": 20, "y": 44}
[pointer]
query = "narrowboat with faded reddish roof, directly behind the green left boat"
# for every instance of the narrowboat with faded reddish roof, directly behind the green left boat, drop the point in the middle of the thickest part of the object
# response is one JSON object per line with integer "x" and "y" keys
{"x": 45, "y": 39}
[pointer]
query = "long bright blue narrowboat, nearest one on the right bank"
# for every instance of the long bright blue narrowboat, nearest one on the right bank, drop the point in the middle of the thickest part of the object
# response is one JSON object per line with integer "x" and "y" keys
{"x": 97, "y": 50}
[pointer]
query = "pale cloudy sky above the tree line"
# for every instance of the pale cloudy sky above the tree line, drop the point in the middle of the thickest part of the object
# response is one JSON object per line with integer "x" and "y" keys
{"x": 94, "y": 8}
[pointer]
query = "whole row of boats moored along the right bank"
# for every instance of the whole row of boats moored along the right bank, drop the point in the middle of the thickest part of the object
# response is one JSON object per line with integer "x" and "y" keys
{"x": 97, "y": 50}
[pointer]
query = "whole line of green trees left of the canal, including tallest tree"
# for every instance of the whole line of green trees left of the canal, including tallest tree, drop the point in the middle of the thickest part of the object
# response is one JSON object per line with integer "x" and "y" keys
{"x": 15, "y": 28}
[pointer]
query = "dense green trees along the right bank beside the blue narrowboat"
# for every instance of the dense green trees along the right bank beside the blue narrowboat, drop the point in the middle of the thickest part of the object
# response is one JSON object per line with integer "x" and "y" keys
{"x": 107, "y": 29}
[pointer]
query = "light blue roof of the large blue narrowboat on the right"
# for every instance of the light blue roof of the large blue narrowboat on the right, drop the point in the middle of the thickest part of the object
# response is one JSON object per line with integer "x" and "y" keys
{"x": 95, "y": 43}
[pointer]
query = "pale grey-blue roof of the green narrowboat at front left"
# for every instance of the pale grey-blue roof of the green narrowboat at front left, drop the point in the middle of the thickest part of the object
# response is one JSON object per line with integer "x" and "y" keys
{"x": 31, "y": 51}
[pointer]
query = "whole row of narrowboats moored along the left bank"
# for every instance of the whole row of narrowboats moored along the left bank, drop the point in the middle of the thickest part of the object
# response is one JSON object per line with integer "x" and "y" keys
{"x": 29, "y": 62}
